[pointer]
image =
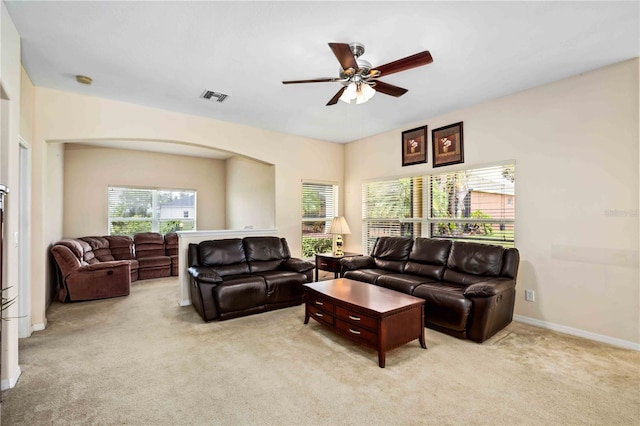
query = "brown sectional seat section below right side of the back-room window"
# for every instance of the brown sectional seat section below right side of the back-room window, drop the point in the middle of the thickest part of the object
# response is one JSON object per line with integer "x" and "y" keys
{"x": 150, "y": 253}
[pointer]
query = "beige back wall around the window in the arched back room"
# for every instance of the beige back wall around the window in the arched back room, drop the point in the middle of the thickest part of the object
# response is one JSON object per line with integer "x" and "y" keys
{"x": 89, "y": 170}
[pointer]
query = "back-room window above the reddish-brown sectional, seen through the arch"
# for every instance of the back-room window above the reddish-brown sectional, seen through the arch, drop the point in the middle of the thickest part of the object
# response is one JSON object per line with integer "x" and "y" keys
{"x": 134, "y": 210}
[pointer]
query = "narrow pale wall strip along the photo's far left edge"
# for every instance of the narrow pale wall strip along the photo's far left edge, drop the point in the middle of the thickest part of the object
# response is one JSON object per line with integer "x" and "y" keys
{"x": 9, "y": 175}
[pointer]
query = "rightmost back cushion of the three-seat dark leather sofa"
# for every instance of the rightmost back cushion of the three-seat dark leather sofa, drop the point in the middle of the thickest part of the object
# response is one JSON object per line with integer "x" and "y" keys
{"x": 474, "y": 259}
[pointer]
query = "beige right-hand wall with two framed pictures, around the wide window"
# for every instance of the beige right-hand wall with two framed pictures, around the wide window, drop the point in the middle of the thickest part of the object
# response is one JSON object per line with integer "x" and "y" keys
{"x": 575, "y": 144}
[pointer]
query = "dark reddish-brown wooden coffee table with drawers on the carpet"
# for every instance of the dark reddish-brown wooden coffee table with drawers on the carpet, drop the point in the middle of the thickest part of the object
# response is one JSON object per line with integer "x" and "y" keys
{"x": 374, "y": 316}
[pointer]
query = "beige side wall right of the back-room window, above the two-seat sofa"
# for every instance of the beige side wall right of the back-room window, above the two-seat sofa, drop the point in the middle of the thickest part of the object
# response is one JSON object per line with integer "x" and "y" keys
{"x": 250, "y": 194}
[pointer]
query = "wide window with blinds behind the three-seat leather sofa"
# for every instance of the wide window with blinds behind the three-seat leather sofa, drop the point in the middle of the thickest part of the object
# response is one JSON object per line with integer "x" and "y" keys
{"x": 474, "y": 204}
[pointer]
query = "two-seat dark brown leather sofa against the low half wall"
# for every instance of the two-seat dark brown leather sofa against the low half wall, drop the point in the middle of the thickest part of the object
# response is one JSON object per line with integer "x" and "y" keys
{"x": 237, "y": 277}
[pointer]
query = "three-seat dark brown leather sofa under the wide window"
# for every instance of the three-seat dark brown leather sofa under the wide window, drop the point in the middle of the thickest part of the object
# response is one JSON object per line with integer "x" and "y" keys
{"x": 468, "y": 288}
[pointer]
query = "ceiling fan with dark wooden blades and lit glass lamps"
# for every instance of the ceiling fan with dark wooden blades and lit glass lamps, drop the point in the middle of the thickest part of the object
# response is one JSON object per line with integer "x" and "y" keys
{"x": 359, "y": 79}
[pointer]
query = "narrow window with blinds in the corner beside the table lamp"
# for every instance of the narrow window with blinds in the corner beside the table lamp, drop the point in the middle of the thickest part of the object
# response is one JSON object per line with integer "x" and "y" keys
{"x": 319, "y": 206}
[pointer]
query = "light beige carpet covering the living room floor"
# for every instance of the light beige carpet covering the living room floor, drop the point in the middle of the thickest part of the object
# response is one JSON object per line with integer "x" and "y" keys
{"x": 143, "y": 360}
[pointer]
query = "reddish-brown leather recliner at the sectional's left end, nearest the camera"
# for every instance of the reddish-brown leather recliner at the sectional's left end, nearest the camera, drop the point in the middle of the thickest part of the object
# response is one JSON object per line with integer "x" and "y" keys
{"x": 83, "y": 276}
